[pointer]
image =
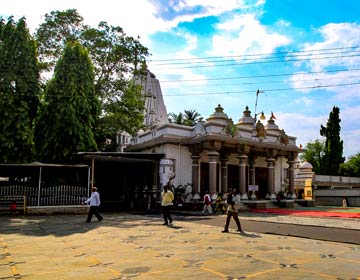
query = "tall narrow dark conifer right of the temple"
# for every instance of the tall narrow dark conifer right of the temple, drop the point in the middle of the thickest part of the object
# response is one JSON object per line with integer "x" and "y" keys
{"x": 333, "y": 152}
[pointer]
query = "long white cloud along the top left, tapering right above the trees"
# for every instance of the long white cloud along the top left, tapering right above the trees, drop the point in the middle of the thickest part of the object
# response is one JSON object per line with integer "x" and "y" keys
{"x": 136, "y": 17}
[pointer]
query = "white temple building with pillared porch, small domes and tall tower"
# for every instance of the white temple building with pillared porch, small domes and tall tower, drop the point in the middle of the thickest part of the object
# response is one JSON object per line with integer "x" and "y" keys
{"x": 217, "y": 153}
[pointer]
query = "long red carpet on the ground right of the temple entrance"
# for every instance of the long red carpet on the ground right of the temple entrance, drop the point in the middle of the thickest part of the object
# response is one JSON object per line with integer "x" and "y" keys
{"x": 331, "y": 212}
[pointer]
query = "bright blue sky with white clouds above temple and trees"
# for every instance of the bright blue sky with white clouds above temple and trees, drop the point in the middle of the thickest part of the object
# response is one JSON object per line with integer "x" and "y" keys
{"x": 304, "y": 55}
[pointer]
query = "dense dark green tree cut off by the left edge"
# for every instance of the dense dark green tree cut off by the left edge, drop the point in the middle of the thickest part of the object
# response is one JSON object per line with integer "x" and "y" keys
{"x": 19, "y": 92}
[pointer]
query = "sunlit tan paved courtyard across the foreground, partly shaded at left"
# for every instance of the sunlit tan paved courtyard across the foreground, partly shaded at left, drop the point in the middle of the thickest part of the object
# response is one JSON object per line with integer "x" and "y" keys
{"x": 125, "y": 246}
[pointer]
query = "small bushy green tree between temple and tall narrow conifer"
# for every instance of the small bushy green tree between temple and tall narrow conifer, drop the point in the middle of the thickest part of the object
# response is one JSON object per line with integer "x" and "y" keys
{"x": 313, "y": 154}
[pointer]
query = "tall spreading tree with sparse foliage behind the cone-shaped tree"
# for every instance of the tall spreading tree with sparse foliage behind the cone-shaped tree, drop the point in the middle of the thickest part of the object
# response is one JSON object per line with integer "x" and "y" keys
{"x": 116, "y": 58}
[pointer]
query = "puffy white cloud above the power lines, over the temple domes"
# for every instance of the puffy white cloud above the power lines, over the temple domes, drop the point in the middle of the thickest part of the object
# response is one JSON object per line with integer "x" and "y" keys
{"x": 244, "y": 34}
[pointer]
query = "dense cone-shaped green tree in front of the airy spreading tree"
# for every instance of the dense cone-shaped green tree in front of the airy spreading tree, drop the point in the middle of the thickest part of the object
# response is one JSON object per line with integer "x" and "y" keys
{"x": 70, "y": 108}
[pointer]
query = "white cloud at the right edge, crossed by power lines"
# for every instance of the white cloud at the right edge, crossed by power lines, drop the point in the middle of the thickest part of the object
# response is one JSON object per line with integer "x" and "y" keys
{"x": 335, "y": 51}
